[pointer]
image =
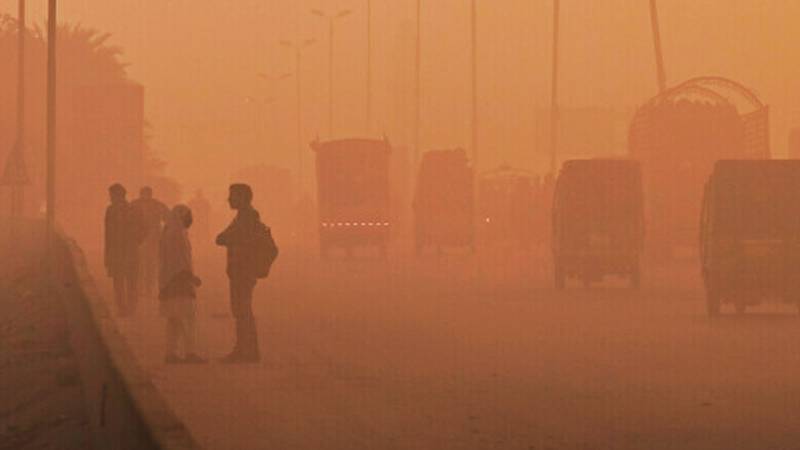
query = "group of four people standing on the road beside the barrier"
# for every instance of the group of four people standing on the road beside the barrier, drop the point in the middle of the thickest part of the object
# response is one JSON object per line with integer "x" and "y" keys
{"x": 147, "y": 245}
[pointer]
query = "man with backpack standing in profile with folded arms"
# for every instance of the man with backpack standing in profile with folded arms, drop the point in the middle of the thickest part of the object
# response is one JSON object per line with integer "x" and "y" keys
{"x": 251, "y": 251}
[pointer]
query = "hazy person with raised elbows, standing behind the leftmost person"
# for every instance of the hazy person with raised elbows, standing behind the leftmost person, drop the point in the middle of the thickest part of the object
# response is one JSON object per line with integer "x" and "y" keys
{"x": 153, "y": 213}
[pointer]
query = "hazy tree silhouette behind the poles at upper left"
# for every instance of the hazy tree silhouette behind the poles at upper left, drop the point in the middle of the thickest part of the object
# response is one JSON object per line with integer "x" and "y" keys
{"x": 92, "y": 149}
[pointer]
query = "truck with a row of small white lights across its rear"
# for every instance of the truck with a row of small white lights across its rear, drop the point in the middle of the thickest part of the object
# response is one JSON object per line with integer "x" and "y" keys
{"x": 353, "y": 194}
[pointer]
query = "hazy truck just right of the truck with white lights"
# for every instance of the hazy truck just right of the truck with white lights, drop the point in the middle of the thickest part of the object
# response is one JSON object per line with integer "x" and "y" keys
{"x": 444, "y": 202}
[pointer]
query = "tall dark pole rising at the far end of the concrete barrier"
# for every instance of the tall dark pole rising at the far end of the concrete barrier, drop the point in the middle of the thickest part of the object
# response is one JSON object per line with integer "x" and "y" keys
{"x": 52, "y": 30}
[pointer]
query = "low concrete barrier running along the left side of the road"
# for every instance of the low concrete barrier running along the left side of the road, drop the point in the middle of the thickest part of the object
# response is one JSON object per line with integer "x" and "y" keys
{"x": 124, "y": 408}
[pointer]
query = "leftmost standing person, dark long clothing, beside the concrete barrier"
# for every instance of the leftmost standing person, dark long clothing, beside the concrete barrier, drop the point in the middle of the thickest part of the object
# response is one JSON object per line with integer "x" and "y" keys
{"x": 124, "y": 232}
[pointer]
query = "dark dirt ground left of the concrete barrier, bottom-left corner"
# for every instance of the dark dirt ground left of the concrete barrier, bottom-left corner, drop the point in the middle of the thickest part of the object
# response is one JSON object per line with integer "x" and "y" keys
{"x": 41, "y": 402}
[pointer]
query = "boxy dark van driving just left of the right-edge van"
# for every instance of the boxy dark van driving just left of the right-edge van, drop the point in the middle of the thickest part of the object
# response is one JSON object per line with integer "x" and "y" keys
{"x": 598, "y": 221}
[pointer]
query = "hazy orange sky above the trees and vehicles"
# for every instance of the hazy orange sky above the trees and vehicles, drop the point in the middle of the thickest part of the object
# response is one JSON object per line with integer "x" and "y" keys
{"x": 198, "y": 60}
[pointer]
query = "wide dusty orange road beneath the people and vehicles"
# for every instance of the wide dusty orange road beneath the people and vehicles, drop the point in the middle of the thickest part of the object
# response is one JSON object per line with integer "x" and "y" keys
{"x": 447, "y": 355}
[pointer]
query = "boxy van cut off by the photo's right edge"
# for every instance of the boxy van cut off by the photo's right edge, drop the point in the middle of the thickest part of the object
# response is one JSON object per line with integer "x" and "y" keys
{"x": 750, "y": 233}
